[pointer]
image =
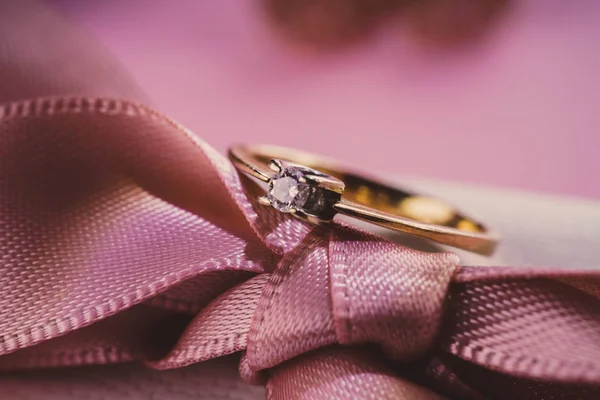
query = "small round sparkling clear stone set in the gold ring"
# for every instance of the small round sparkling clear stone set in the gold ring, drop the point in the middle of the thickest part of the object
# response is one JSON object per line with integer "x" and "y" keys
{"x": 286, "y": 192}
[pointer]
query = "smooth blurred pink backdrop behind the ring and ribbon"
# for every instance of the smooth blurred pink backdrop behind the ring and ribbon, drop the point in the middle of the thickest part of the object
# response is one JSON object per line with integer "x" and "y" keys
{"x": 521, "y": 108}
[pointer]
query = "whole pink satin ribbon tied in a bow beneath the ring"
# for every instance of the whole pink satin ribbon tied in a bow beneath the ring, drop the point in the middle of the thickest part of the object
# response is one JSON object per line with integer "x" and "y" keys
{"x": 123, "y": 237}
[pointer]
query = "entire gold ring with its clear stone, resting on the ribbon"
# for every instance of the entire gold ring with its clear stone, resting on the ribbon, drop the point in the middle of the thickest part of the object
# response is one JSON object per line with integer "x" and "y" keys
{"x": 316, "y": 188}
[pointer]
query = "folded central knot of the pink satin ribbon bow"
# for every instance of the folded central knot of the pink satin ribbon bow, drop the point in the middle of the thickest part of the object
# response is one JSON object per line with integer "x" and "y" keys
{"x": 345, "y": 286}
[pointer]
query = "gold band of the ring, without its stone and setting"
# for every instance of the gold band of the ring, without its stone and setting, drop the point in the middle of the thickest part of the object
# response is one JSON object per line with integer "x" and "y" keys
{"x": 372, "y": 200}
